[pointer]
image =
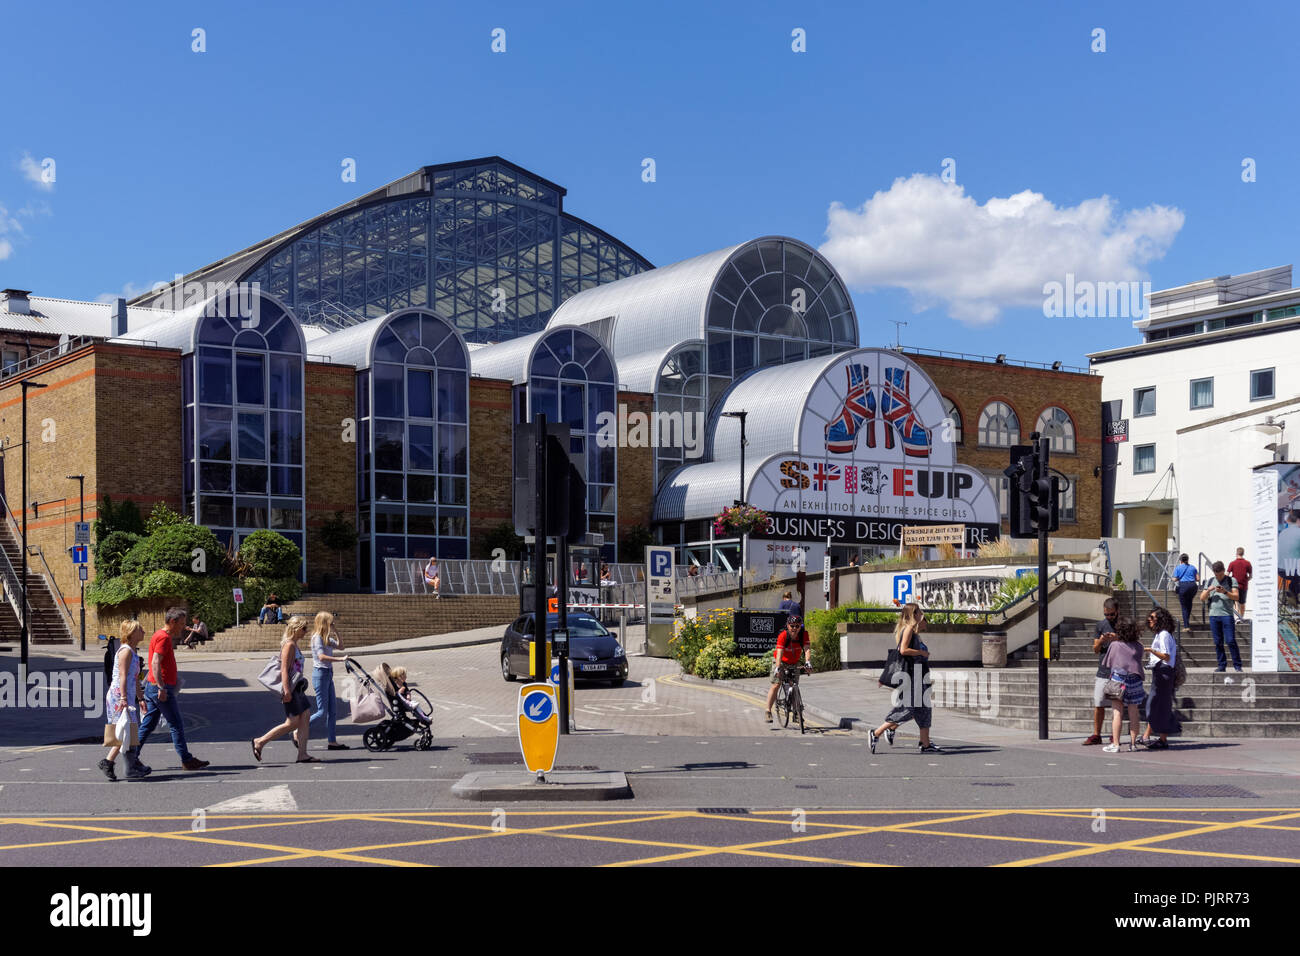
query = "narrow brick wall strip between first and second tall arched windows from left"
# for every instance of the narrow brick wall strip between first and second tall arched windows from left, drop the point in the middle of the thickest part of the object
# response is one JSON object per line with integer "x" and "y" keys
{"x": 331, "y": 465}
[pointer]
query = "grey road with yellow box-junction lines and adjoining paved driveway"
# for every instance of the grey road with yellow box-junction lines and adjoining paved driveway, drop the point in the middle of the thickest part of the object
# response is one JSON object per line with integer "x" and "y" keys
{"x": 712, "y": 784}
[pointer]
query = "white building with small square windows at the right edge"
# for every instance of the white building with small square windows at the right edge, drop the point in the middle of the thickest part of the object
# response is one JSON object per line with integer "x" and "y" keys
{"x": 1208, "y": 395}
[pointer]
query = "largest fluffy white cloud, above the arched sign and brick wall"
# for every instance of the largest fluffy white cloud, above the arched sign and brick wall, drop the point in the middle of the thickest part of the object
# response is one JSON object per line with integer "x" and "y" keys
{"x": 929, "y": 237}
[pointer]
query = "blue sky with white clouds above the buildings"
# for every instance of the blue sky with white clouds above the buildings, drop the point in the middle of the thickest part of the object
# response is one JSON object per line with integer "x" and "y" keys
{"x": 1124, "y": 165}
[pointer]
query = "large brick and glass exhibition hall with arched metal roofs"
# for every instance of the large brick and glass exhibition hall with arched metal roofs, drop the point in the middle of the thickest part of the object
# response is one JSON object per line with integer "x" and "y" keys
{"x": 375, "y": 361}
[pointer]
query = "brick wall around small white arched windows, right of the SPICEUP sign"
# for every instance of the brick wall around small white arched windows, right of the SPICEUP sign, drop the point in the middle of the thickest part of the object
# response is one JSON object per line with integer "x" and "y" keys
{"x": 972, "y": 386}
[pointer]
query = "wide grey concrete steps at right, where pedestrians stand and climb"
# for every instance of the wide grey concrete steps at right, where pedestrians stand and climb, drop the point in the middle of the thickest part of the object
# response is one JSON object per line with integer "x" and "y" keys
{"x": 1254, "y": 706}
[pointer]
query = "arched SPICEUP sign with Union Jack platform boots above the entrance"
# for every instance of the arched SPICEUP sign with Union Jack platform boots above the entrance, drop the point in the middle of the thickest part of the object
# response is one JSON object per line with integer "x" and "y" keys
{"x": 876, "y": 455}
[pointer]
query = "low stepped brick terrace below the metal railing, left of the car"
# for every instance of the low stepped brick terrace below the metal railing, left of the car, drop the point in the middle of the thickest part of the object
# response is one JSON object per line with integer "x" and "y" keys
{"x": 365, "y": 620}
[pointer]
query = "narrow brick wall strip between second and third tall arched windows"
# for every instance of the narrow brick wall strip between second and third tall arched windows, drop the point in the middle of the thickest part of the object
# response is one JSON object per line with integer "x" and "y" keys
{"x": 491, "y": 458}
